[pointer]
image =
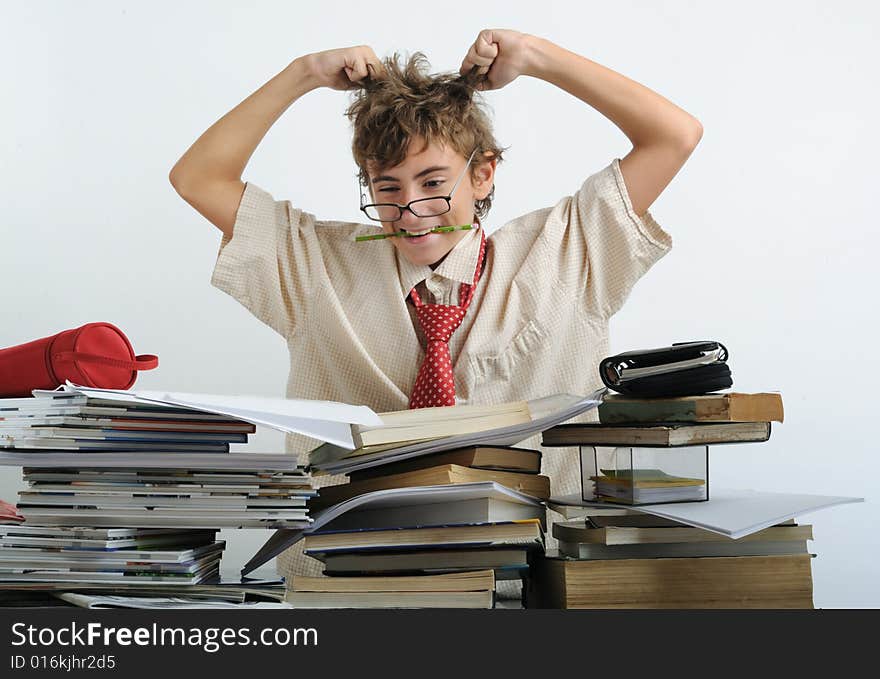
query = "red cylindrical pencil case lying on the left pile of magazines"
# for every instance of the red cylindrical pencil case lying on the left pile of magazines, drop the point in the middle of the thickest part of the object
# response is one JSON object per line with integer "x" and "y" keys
{"x": 93, "y": 355}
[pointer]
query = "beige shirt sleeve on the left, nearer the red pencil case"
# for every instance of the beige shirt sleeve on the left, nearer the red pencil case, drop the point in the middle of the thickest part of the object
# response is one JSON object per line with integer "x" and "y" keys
{"x": 269, "y": 263}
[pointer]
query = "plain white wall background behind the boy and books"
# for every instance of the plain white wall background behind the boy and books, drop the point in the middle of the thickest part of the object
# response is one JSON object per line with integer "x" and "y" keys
{"x": 773, "y": 217}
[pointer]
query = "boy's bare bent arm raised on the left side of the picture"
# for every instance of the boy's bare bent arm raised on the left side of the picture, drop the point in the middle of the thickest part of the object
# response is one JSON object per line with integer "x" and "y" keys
{"x": 208, "y": 175}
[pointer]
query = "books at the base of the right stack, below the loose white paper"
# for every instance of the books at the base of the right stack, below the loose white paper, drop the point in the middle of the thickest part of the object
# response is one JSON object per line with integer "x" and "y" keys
{"x": 641, "y": 561}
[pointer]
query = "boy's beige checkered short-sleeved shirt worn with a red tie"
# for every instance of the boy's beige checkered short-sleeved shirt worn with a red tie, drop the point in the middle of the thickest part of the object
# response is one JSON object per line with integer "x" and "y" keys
{"x": 537, "y": 325}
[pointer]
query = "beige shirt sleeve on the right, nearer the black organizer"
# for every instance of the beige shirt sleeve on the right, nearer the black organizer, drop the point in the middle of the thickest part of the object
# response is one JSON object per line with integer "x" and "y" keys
{"x": 605, "y": 246}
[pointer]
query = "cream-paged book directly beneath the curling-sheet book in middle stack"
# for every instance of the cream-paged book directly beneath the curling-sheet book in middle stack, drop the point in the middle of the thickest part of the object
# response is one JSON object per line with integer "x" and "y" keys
{"x": 489, "y": 534}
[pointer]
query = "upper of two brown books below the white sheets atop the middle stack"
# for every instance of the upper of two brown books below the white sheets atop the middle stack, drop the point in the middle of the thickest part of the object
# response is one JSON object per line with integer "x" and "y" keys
{"x": 498, "y": 458}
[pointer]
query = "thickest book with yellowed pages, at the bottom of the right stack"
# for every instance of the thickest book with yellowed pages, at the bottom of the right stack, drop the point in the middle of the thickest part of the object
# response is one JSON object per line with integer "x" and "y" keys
{"x": 779, "y": 581}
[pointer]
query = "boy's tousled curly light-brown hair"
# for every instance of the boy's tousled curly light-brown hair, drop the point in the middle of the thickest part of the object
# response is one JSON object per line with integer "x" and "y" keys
{"x": 387, "y": 112}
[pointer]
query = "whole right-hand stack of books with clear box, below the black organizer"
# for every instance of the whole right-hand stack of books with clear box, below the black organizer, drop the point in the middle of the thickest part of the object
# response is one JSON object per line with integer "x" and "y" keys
{"x": 622, "y": 558}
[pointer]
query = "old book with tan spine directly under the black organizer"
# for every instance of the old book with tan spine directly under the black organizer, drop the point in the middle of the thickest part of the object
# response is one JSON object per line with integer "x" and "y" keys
{"x": 725, "y": 407}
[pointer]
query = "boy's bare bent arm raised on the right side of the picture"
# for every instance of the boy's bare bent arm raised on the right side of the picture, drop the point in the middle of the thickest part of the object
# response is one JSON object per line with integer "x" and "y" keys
{"x": 662, "y": 134}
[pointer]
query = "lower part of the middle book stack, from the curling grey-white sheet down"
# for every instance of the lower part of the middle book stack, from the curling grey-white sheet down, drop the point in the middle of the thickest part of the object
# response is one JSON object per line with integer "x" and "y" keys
{"x": 418, "y": 532}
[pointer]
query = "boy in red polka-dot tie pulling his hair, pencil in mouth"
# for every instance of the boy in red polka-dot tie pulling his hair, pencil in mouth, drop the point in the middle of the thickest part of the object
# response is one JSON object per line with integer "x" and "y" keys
{"x": 426, "y": 318}
